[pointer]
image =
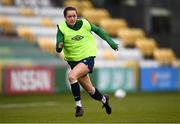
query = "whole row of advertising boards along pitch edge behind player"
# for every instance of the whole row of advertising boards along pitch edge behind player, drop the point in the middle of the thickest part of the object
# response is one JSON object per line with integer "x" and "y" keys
{"x": 15, "y": 80}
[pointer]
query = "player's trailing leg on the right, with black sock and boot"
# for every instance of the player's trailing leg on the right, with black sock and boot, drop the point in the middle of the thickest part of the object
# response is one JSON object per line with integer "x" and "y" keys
{"x": 94, "y": 93}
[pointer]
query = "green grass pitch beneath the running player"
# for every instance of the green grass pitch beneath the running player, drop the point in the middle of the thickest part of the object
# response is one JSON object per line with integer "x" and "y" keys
{"x": 135, "y": 107}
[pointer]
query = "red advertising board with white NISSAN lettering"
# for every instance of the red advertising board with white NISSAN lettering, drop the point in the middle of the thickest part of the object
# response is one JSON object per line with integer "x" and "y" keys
{"x": 21, "y": 80}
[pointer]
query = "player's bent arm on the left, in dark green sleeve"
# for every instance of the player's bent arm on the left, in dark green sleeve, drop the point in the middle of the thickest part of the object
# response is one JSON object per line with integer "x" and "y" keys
{"x": 59, "y": 41}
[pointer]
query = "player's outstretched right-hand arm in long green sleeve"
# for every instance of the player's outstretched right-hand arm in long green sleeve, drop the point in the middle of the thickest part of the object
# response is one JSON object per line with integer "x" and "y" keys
{"x": 101, "y": 33}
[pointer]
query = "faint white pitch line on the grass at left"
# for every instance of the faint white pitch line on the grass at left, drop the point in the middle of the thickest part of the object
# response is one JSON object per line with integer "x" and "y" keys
{"x": 26, "y": 105}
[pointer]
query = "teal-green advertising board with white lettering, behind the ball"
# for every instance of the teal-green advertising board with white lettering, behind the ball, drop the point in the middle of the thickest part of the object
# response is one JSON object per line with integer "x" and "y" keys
{"x": 111, "y": 79}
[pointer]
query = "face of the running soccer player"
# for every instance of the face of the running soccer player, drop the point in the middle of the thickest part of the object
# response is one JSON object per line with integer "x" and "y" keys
{"x": 71, "y": 17}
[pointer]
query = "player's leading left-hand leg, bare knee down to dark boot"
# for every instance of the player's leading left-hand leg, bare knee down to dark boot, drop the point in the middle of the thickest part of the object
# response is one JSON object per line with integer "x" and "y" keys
{"x": 79, "y": 70}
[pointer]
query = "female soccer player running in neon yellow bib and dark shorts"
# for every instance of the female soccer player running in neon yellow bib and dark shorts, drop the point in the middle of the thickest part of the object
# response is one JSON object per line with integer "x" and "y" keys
{"x": 74, "y": 37}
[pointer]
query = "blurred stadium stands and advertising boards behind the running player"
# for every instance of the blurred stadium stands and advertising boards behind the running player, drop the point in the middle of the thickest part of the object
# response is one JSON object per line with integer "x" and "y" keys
{"x": 147, "y": 31}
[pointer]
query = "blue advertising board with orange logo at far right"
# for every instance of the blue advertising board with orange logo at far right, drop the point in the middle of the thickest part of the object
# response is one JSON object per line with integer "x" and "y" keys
{"x": 159, "y": 79}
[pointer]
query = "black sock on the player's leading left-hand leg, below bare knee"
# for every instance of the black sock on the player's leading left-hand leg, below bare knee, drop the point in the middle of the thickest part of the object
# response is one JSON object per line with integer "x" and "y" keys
{"x": 75, "y": 88}
